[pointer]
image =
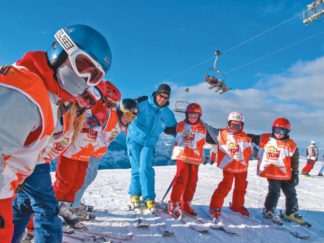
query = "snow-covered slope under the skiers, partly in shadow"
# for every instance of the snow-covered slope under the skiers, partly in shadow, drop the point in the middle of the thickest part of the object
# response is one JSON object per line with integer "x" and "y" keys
{"x": 109, "y": 191}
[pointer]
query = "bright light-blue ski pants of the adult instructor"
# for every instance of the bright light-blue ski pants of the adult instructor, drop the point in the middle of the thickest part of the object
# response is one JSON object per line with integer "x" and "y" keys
{"x": 142, "y": 172}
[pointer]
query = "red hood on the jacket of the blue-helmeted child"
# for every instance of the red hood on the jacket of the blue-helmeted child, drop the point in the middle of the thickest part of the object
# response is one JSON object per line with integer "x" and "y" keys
{"x": 37, "y": 63}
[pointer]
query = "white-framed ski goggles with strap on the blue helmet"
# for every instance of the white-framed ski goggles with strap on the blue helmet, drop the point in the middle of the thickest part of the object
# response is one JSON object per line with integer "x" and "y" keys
{"x": 82, "y": 63}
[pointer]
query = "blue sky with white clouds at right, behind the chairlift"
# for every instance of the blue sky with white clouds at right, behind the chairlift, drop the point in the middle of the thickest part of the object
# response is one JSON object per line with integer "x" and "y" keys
{"x": 156, "y": 41}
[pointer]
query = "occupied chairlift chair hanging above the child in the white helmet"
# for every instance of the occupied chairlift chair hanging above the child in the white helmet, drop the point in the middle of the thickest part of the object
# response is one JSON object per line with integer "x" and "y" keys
{"x": 215, "y": 78}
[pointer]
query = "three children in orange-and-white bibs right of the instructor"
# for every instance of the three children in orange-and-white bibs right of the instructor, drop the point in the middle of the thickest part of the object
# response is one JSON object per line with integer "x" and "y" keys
{"x": 278, "y": 161}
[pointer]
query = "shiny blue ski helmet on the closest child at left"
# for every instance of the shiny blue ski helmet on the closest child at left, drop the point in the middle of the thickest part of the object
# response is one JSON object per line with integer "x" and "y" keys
{"x": 88, "y": 40}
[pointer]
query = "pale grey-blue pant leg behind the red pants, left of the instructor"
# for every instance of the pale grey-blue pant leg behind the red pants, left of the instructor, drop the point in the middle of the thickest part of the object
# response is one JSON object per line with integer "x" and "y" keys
{"x": 91, "y": 174}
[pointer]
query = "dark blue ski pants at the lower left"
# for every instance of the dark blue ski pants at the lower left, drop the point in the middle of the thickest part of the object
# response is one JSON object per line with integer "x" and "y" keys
{"x": 37, "y": 197}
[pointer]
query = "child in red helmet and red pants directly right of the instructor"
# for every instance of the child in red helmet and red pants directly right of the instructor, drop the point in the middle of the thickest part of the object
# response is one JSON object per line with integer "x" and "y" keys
{"x": 191, "y": 136}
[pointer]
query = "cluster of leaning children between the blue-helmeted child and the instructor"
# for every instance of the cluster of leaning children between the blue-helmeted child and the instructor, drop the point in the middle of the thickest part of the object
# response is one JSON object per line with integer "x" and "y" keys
{"x": 85, "y": 133}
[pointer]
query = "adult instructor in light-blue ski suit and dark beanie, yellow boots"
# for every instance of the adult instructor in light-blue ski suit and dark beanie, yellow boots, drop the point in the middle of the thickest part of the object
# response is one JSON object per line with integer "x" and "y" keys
{"x": 143, "y": 133}
